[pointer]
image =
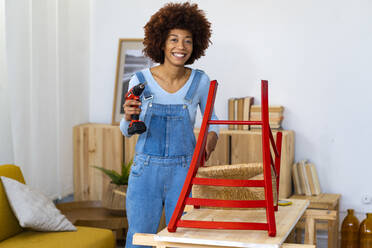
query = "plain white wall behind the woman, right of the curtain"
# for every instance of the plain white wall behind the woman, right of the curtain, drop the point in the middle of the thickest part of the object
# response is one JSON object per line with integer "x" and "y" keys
{"x": 316, "y": 55}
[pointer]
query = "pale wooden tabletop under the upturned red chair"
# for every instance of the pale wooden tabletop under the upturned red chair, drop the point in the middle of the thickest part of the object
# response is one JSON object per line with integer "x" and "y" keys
{"x": 286, "y": 219}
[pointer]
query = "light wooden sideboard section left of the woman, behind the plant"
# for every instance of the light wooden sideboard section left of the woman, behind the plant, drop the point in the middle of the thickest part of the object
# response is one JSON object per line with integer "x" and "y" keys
{"x": 100, "y": 145}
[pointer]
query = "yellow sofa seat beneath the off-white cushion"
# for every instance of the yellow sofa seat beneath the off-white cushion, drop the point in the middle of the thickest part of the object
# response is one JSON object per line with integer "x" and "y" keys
{"x": 84, "y": 237}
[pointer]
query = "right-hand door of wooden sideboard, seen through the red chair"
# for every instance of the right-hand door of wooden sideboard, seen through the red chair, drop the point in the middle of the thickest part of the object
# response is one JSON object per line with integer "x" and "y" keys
{"x": 246, "y": 147}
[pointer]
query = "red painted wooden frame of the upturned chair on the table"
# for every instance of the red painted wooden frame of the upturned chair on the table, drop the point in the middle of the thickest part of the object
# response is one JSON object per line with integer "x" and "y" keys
{"x": 199, "y": 158}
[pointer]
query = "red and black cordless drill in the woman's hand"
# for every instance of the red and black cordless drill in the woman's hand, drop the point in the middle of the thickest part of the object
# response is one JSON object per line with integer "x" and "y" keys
{"x": 135, "y": 126}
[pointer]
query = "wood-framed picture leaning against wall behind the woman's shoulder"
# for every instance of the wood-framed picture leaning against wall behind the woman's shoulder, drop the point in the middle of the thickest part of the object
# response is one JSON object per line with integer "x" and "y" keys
{"x": 130, "y": 60}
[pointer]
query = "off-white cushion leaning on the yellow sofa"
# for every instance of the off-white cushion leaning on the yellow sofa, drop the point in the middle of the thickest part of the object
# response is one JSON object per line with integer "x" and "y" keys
{"x": 33, "y": 209}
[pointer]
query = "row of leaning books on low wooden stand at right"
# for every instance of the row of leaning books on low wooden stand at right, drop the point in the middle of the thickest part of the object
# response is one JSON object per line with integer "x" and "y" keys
{"x": 305, "y": 179}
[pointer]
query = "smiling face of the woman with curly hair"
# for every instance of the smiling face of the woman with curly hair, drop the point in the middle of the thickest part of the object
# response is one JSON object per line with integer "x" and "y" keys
{"x": 178, "y": 47}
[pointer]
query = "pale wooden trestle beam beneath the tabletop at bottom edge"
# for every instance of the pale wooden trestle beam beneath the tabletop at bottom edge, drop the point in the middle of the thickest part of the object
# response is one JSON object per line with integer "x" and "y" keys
{"x": 149, "y": 240}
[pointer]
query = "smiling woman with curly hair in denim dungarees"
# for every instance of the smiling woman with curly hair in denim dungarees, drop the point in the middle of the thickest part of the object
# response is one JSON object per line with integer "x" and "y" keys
{"x": 175, "y": 36}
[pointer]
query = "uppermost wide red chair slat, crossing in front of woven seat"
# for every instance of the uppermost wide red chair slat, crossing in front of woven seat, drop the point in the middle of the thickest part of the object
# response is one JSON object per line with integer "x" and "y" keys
{"x": 228, "y": 182}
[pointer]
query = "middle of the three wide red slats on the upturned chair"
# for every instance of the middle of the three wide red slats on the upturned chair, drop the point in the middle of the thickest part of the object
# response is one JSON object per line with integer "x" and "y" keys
{"x": 226, "y": 203}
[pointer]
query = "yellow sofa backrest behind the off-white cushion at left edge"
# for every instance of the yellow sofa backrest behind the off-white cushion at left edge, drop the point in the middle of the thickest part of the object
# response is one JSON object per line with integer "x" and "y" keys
{"x": 9, "y": 225}
